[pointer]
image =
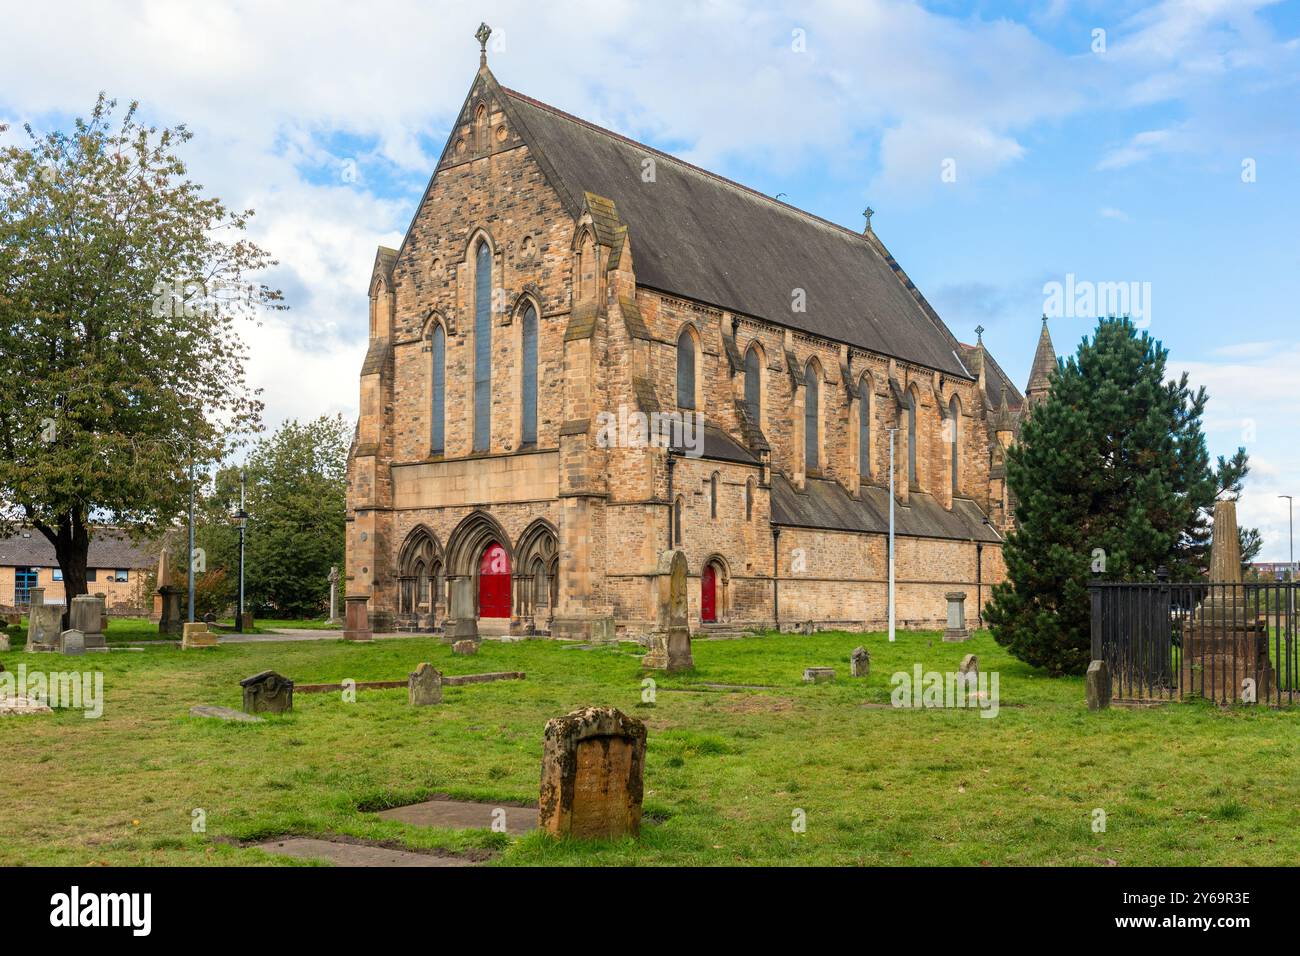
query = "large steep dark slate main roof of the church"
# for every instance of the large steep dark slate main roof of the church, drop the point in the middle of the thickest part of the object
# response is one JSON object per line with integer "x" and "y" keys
{"x": 707, "y": 239}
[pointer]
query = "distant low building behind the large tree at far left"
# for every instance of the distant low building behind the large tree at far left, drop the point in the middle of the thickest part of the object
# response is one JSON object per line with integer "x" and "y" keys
{"x": 116, "y": 568}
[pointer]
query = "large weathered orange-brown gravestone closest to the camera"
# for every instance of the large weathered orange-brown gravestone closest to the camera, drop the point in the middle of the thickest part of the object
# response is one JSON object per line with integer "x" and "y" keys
{"x": 592, "y": 786}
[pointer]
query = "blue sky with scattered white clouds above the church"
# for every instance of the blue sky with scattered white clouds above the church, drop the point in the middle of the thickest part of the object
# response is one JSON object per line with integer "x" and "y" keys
{"x": 1113, "y": 157}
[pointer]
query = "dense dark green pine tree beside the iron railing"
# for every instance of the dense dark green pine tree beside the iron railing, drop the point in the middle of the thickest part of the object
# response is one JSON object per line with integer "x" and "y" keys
{"x": 1112, "y": 475}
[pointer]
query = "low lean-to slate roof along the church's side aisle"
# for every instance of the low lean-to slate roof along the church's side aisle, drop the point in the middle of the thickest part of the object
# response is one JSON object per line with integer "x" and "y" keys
{"x": 827, "y": 505}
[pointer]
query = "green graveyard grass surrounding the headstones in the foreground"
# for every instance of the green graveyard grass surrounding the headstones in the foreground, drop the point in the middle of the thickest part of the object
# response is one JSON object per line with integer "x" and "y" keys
{"x": 726, "y": 771}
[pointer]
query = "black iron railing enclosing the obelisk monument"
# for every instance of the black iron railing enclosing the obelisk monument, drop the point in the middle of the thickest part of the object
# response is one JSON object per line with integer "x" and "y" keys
{"x": 1220, "y": 642}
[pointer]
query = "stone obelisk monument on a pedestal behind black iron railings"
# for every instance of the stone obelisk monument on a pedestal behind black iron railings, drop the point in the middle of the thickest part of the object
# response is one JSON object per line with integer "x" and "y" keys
{"x": 1227, "y": 643}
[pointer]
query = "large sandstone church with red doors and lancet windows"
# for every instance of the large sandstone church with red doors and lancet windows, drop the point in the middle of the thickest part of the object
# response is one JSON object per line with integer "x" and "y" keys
{"x": 587, "y": 352}
